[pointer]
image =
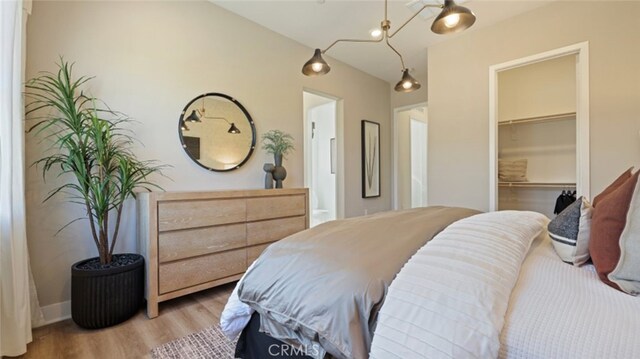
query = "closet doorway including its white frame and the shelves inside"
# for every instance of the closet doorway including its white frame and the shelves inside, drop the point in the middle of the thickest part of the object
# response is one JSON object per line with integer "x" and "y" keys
{"x": 539, "y": 129}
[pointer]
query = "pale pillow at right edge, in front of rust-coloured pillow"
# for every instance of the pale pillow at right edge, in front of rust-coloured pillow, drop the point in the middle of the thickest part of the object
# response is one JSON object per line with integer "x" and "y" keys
{"x": 627, "y": 273}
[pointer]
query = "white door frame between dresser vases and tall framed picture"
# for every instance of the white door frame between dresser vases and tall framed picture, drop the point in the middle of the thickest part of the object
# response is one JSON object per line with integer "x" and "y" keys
{"x": 339, "y": 116}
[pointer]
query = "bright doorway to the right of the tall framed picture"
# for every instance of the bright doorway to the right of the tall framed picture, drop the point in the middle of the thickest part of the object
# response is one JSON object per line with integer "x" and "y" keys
{"x": 410, "y": 157}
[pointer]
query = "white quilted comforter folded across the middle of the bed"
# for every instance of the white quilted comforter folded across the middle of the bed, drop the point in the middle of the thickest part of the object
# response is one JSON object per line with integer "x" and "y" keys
{"x": 450, "y": 299}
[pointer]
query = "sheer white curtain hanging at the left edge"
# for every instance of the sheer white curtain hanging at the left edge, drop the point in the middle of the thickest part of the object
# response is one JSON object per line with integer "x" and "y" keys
{"x": 17, "y": 294}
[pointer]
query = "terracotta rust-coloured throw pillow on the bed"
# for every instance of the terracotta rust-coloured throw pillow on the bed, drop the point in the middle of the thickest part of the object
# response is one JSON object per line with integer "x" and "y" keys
{"x": 608, "y": 222}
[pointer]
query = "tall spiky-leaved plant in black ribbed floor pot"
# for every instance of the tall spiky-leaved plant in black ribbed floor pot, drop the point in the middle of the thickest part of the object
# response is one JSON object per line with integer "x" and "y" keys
{"x": 89, "y": 145}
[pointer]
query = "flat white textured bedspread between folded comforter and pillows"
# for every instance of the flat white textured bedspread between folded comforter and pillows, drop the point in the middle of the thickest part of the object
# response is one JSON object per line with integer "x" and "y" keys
{"x": 561, "y": 311}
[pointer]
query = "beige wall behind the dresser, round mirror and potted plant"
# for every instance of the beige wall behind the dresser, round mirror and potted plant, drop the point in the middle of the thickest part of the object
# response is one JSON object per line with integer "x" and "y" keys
{"x": 150, "y": 59}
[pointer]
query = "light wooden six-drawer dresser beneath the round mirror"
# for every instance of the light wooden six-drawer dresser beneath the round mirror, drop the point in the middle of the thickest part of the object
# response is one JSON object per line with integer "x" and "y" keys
{"x": 197, "y": 240}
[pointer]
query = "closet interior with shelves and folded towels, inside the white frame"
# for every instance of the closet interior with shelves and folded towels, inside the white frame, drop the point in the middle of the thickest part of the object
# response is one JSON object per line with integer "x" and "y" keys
{"x": 536, "y": 134}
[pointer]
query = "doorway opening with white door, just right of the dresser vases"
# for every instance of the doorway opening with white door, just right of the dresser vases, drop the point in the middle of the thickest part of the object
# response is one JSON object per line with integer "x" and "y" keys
{"x": 321, "y": 156}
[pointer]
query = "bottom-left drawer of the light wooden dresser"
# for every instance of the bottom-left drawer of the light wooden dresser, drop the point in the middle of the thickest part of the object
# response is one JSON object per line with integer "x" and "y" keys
{"x": 193, "y": 271}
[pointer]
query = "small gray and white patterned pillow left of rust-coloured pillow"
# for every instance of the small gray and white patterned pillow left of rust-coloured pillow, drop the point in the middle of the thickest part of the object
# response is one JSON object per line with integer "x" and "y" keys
{"x": 570, "y": 232}
